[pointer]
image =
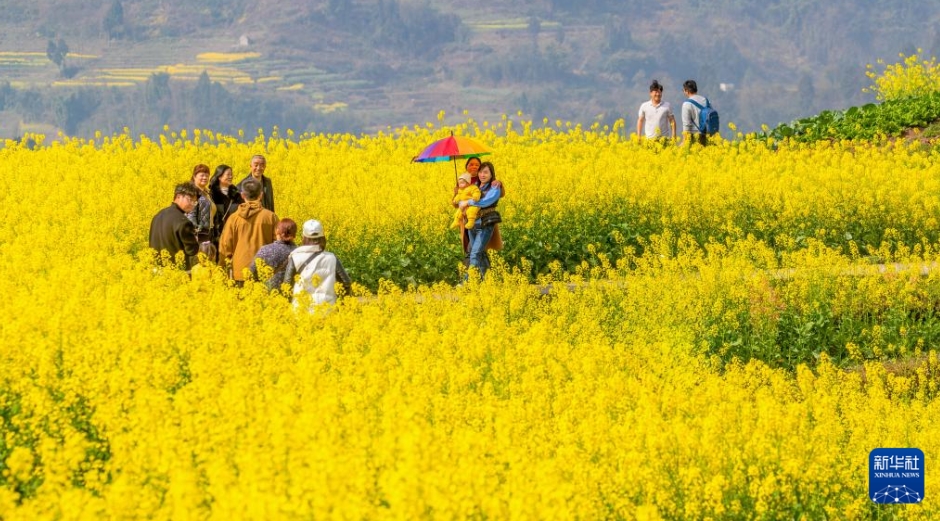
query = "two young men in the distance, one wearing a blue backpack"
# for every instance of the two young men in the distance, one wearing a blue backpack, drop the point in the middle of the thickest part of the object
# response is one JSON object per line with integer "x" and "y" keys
{"x": 657, "y": 121}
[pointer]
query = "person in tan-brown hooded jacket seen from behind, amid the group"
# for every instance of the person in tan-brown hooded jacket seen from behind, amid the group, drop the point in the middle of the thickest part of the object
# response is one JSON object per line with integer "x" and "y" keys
{"x": 247, "y": 230}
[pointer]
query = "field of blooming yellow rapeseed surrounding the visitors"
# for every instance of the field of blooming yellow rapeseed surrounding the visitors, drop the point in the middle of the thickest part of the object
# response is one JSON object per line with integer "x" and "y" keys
{"x": 715, "y": 343}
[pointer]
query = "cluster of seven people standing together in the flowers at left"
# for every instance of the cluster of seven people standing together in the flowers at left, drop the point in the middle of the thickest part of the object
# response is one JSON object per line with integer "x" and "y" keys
{"x": 235, "y": 226}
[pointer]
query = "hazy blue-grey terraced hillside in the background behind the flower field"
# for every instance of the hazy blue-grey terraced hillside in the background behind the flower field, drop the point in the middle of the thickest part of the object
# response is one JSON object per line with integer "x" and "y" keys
{"x": 363, "y": 65}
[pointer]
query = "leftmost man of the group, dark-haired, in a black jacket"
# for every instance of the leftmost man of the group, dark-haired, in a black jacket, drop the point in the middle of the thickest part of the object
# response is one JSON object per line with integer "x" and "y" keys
{"x": 172, "y": 232}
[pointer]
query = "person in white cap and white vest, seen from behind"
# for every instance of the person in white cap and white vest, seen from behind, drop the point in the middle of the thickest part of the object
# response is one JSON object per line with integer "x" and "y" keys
{"x": 318, "y": 269}
